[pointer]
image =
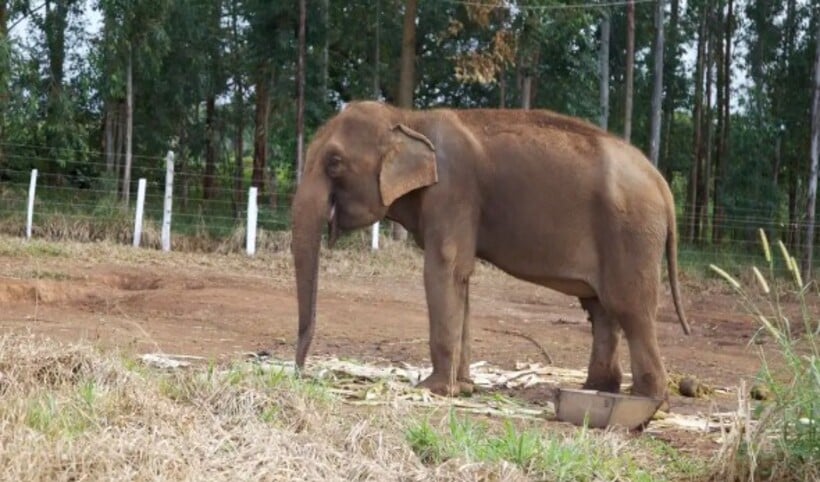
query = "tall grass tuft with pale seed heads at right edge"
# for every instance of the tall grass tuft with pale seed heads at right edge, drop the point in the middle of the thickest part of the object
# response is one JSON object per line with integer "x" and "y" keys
{"x": 780, "y": 438}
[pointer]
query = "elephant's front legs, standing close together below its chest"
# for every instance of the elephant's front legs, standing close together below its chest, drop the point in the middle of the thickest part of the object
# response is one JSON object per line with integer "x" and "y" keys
{"x": 445, "y": 283}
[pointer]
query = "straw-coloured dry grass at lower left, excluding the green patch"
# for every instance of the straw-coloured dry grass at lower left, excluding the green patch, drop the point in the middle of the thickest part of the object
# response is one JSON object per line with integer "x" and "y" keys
{"x": 70, "y": 413}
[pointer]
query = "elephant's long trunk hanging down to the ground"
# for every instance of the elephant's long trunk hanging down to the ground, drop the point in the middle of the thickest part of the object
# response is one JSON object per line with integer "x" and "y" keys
{"x": 312, "y": 208}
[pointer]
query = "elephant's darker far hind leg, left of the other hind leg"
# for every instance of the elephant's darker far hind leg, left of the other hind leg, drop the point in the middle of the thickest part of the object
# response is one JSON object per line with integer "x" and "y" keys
{"x": 604, "y": 367}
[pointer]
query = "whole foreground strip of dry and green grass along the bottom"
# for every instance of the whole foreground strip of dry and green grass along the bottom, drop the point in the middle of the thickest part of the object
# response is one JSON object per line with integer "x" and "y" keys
{"x": 71, "y": 412}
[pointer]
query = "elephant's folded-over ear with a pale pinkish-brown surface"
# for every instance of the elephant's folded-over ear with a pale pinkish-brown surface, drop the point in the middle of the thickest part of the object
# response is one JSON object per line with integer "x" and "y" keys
{"x": 408, "y": 164}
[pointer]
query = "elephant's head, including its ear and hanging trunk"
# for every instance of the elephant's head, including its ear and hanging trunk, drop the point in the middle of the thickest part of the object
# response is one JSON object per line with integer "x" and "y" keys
{"x": 358, "y": 164}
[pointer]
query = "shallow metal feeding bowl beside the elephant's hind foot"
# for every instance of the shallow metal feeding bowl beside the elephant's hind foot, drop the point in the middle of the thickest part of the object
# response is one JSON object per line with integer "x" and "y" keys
{"x": 602, "y": 409}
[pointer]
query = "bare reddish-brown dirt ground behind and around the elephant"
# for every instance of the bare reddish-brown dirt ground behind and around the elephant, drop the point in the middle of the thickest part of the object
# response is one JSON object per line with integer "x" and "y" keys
{"x": 370, "y": 307}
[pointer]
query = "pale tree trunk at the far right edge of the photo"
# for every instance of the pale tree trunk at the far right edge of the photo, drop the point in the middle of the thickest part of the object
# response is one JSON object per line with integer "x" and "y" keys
{"x": 815, "y": 153}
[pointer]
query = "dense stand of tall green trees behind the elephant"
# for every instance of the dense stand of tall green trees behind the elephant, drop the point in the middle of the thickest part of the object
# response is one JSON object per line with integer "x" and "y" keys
{"x": 218, "y": 83}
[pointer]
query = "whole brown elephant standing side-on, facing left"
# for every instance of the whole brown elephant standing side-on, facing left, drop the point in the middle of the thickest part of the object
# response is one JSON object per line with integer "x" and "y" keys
{"x": 546, "y": 198}
